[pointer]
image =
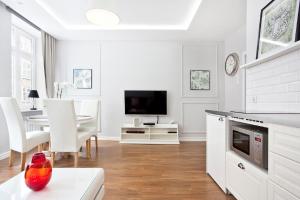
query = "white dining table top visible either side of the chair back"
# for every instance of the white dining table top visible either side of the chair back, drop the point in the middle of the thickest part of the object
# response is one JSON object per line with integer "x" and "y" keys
{"x": 42, "y": 120}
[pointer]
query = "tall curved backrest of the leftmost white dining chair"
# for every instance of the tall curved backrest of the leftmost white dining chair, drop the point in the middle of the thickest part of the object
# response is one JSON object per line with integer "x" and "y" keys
{"x": 15, "y": 123}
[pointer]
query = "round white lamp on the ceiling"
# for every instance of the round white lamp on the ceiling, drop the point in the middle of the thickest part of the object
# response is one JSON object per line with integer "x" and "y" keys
{"x": 100, "y": 13}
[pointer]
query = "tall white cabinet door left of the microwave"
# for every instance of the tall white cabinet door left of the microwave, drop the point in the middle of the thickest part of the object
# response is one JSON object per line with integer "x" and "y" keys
{"x": 216, "y": 127}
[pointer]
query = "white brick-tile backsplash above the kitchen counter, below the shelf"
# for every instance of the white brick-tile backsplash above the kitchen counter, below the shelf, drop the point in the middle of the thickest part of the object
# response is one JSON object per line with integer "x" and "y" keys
{"x": 274, "y": 86}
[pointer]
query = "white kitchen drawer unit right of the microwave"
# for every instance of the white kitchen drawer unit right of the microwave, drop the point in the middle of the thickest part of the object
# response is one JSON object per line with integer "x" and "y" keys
{"x": 284, "y": 159}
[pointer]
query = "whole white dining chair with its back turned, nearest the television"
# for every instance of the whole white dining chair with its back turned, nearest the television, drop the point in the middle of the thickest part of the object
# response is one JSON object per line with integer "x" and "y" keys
{"x": 64, "y": 136}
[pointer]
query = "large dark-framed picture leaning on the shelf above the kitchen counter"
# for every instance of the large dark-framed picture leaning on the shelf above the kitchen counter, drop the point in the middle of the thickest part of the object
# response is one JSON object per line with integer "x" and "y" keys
{"x": 279, "y": 26}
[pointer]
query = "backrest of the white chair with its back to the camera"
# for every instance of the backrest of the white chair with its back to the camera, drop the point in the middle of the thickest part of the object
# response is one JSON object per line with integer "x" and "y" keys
{"x": 62, "y": 121}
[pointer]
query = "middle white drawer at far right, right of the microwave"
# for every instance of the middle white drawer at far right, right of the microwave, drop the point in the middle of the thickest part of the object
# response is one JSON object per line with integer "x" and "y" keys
{"x": 285, "y": 173}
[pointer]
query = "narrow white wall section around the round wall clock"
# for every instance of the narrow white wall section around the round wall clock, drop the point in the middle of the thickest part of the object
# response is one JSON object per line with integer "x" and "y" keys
{"x": 235, "y": 85}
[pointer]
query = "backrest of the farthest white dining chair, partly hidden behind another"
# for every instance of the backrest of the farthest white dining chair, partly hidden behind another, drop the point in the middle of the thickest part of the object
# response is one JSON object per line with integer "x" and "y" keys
{"x": 90, "y": 108}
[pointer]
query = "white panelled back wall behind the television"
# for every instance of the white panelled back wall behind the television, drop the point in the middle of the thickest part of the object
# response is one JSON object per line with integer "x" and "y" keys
{"x": 151, "y": 65}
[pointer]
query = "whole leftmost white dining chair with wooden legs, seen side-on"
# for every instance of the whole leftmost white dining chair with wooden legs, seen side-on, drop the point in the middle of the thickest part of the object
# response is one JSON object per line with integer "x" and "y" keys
{"x": 20, "y": 140}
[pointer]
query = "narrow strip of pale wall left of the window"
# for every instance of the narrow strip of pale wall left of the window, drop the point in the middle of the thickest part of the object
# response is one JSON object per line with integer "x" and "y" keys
{"x": 5, "y": 75}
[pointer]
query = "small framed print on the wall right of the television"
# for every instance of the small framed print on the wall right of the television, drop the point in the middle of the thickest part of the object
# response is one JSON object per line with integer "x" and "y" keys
{"x": 199, "y": 80}
